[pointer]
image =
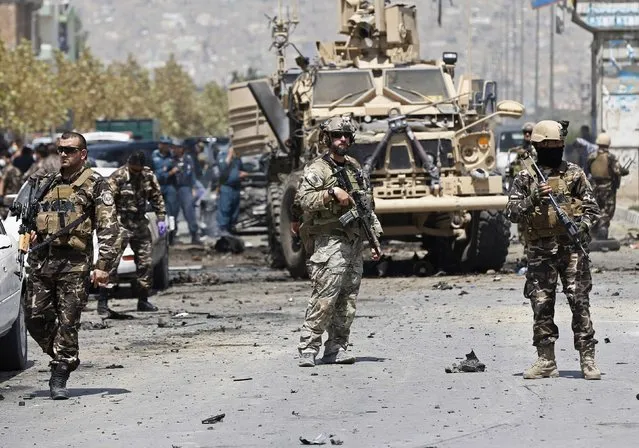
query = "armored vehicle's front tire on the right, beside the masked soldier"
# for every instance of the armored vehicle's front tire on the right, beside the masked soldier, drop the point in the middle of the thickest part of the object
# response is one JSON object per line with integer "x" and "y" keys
{"x": 490, "y": 240}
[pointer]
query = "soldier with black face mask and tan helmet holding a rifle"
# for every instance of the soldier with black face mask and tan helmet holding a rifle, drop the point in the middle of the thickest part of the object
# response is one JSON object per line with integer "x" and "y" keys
{"x": 550, "y": 251}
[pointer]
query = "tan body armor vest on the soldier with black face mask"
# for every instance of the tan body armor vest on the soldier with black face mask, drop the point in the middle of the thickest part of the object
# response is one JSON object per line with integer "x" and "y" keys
{"x": 545, "y": 222}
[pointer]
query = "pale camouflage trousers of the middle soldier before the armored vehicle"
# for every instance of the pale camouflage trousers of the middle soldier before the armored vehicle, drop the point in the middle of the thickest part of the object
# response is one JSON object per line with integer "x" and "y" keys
{"x": 335, "y": 269}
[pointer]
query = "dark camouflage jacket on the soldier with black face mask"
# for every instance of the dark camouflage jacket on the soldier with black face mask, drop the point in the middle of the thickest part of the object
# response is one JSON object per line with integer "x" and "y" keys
{"x": 520, "y": 208}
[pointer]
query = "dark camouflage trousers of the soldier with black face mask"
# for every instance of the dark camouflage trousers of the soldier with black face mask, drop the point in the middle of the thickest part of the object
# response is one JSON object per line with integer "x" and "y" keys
{"x": 541, "y": 284}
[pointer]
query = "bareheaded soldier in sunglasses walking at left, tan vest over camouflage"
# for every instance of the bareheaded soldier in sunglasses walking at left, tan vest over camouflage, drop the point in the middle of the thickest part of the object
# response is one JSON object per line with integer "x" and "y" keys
{"x": 59, "y": 274}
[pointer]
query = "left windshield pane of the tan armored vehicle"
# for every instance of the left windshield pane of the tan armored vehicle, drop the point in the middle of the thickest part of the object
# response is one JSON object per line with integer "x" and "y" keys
{"x": 332, "y": 86}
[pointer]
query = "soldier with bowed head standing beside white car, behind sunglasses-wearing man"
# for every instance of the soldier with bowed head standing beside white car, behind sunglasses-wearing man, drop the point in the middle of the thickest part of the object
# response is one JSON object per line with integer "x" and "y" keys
{"x": 132, "y": 186}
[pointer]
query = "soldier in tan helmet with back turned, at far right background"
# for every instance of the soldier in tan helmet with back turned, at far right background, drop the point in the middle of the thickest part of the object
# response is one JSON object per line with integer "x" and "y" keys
{"x": 605, "y": 175}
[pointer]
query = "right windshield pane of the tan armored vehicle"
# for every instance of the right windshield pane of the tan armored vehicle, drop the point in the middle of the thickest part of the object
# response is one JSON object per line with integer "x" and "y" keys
{"x": 415, "y": 84}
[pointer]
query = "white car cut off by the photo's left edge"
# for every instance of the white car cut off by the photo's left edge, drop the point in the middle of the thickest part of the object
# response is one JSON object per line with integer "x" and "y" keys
{"x": 13, "y": 330}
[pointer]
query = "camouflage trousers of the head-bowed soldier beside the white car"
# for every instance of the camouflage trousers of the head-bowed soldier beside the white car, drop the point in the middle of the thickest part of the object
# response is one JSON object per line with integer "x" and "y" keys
{"x": 139, "y": 237}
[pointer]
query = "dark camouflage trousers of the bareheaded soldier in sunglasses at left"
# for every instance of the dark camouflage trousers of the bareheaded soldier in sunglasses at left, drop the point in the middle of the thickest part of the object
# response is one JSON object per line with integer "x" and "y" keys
{"x": 52, "y": 313}
